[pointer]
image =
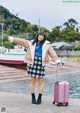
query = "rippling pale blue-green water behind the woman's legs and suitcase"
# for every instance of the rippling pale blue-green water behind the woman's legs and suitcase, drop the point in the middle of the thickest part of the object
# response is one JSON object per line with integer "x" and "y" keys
{"x": 23, "y": 86}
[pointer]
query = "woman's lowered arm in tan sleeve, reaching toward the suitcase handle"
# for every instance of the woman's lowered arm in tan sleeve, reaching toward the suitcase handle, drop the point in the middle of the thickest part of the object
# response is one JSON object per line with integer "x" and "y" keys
{"x": 53, "y": 55}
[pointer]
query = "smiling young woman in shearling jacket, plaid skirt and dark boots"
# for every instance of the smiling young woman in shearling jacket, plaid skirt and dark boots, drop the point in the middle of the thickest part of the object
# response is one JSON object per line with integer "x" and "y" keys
{"x": 38, "y": 52}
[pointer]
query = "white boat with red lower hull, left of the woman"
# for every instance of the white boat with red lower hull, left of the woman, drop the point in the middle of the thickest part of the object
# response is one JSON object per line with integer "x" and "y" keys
{"x": 14, "y": 58}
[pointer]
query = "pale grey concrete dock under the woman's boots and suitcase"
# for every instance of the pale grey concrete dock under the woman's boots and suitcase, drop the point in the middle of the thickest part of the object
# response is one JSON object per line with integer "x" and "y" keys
{"x": 21, "y": 103}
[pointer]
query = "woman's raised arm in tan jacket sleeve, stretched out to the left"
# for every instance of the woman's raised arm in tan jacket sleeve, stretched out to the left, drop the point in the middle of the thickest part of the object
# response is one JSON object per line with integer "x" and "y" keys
{"x": 19, "y": 41}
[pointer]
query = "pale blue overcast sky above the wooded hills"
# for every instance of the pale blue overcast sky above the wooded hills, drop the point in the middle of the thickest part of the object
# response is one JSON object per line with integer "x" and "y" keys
{"x": 50, "y": 12}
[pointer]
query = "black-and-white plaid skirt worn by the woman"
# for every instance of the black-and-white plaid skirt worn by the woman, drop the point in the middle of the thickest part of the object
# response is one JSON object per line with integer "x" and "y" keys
{"x": 36, "y": 69}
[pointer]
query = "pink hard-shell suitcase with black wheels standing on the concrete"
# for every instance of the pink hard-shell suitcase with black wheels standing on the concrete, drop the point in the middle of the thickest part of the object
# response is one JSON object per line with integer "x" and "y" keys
{"x": 61, "y": 93}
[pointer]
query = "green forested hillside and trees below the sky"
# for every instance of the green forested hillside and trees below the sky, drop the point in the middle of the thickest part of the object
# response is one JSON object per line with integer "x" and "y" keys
{"x": 69, "y": 31}
